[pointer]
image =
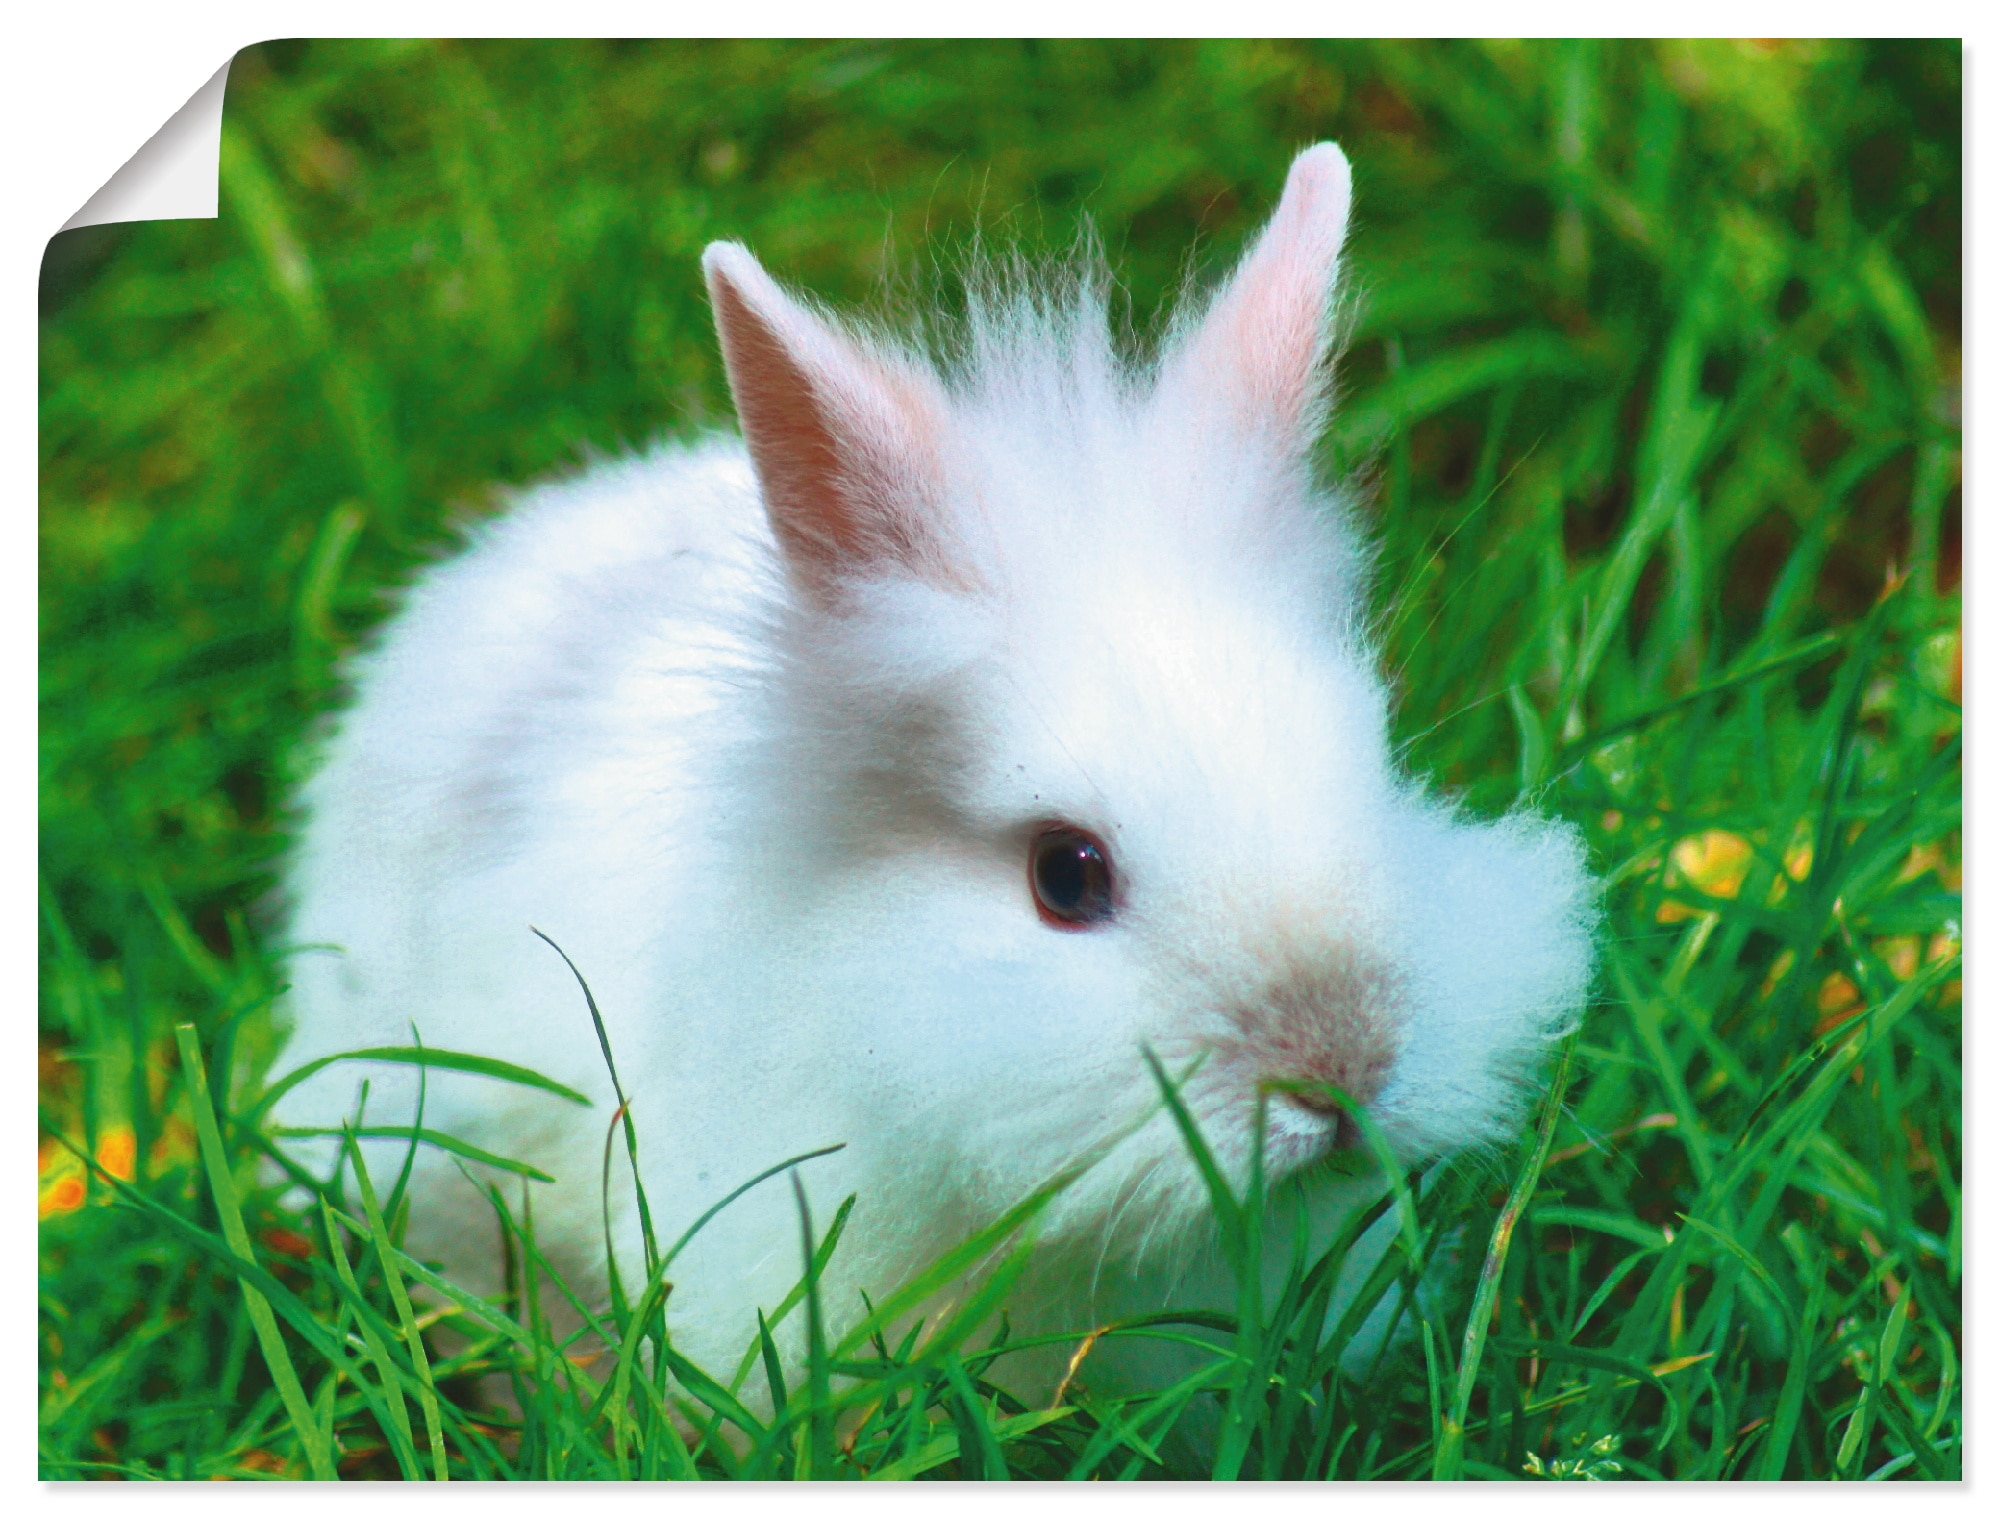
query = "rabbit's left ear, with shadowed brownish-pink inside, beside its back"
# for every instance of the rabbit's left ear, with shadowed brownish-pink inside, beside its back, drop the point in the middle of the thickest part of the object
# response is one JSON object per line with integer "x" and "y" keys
{"x": 845, "y": 439}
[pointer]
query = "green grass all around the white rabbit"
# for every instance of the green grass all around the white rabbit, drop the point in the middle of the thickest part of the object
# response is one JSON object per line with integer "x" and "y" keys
{"x": 1655, "y": 389}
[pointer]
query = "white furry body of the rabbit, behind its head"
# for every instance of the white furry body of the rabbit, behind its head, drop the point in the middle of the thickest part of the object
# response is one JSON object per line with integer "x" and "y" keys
{"x": 561, "y": 731}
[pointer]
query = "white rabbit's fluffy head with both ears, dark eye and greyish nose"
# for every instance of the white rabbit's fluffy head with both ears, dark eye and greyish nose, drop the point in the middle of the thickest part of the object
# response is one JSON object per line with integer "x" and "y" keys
{"x": 1079, "y": 749}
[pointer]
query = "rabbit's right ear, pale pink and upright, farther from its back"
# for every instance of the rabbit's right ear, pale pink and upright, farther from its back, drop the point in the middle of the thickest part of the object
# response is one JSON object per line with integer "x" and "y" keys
{"x": 1255, "y": 363}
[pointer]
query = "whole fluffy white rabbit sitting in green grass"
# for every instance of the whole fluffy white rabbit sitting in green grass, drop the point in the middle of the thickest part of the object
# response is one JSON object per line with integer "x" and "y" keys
{"x": 897, "y": 776}
